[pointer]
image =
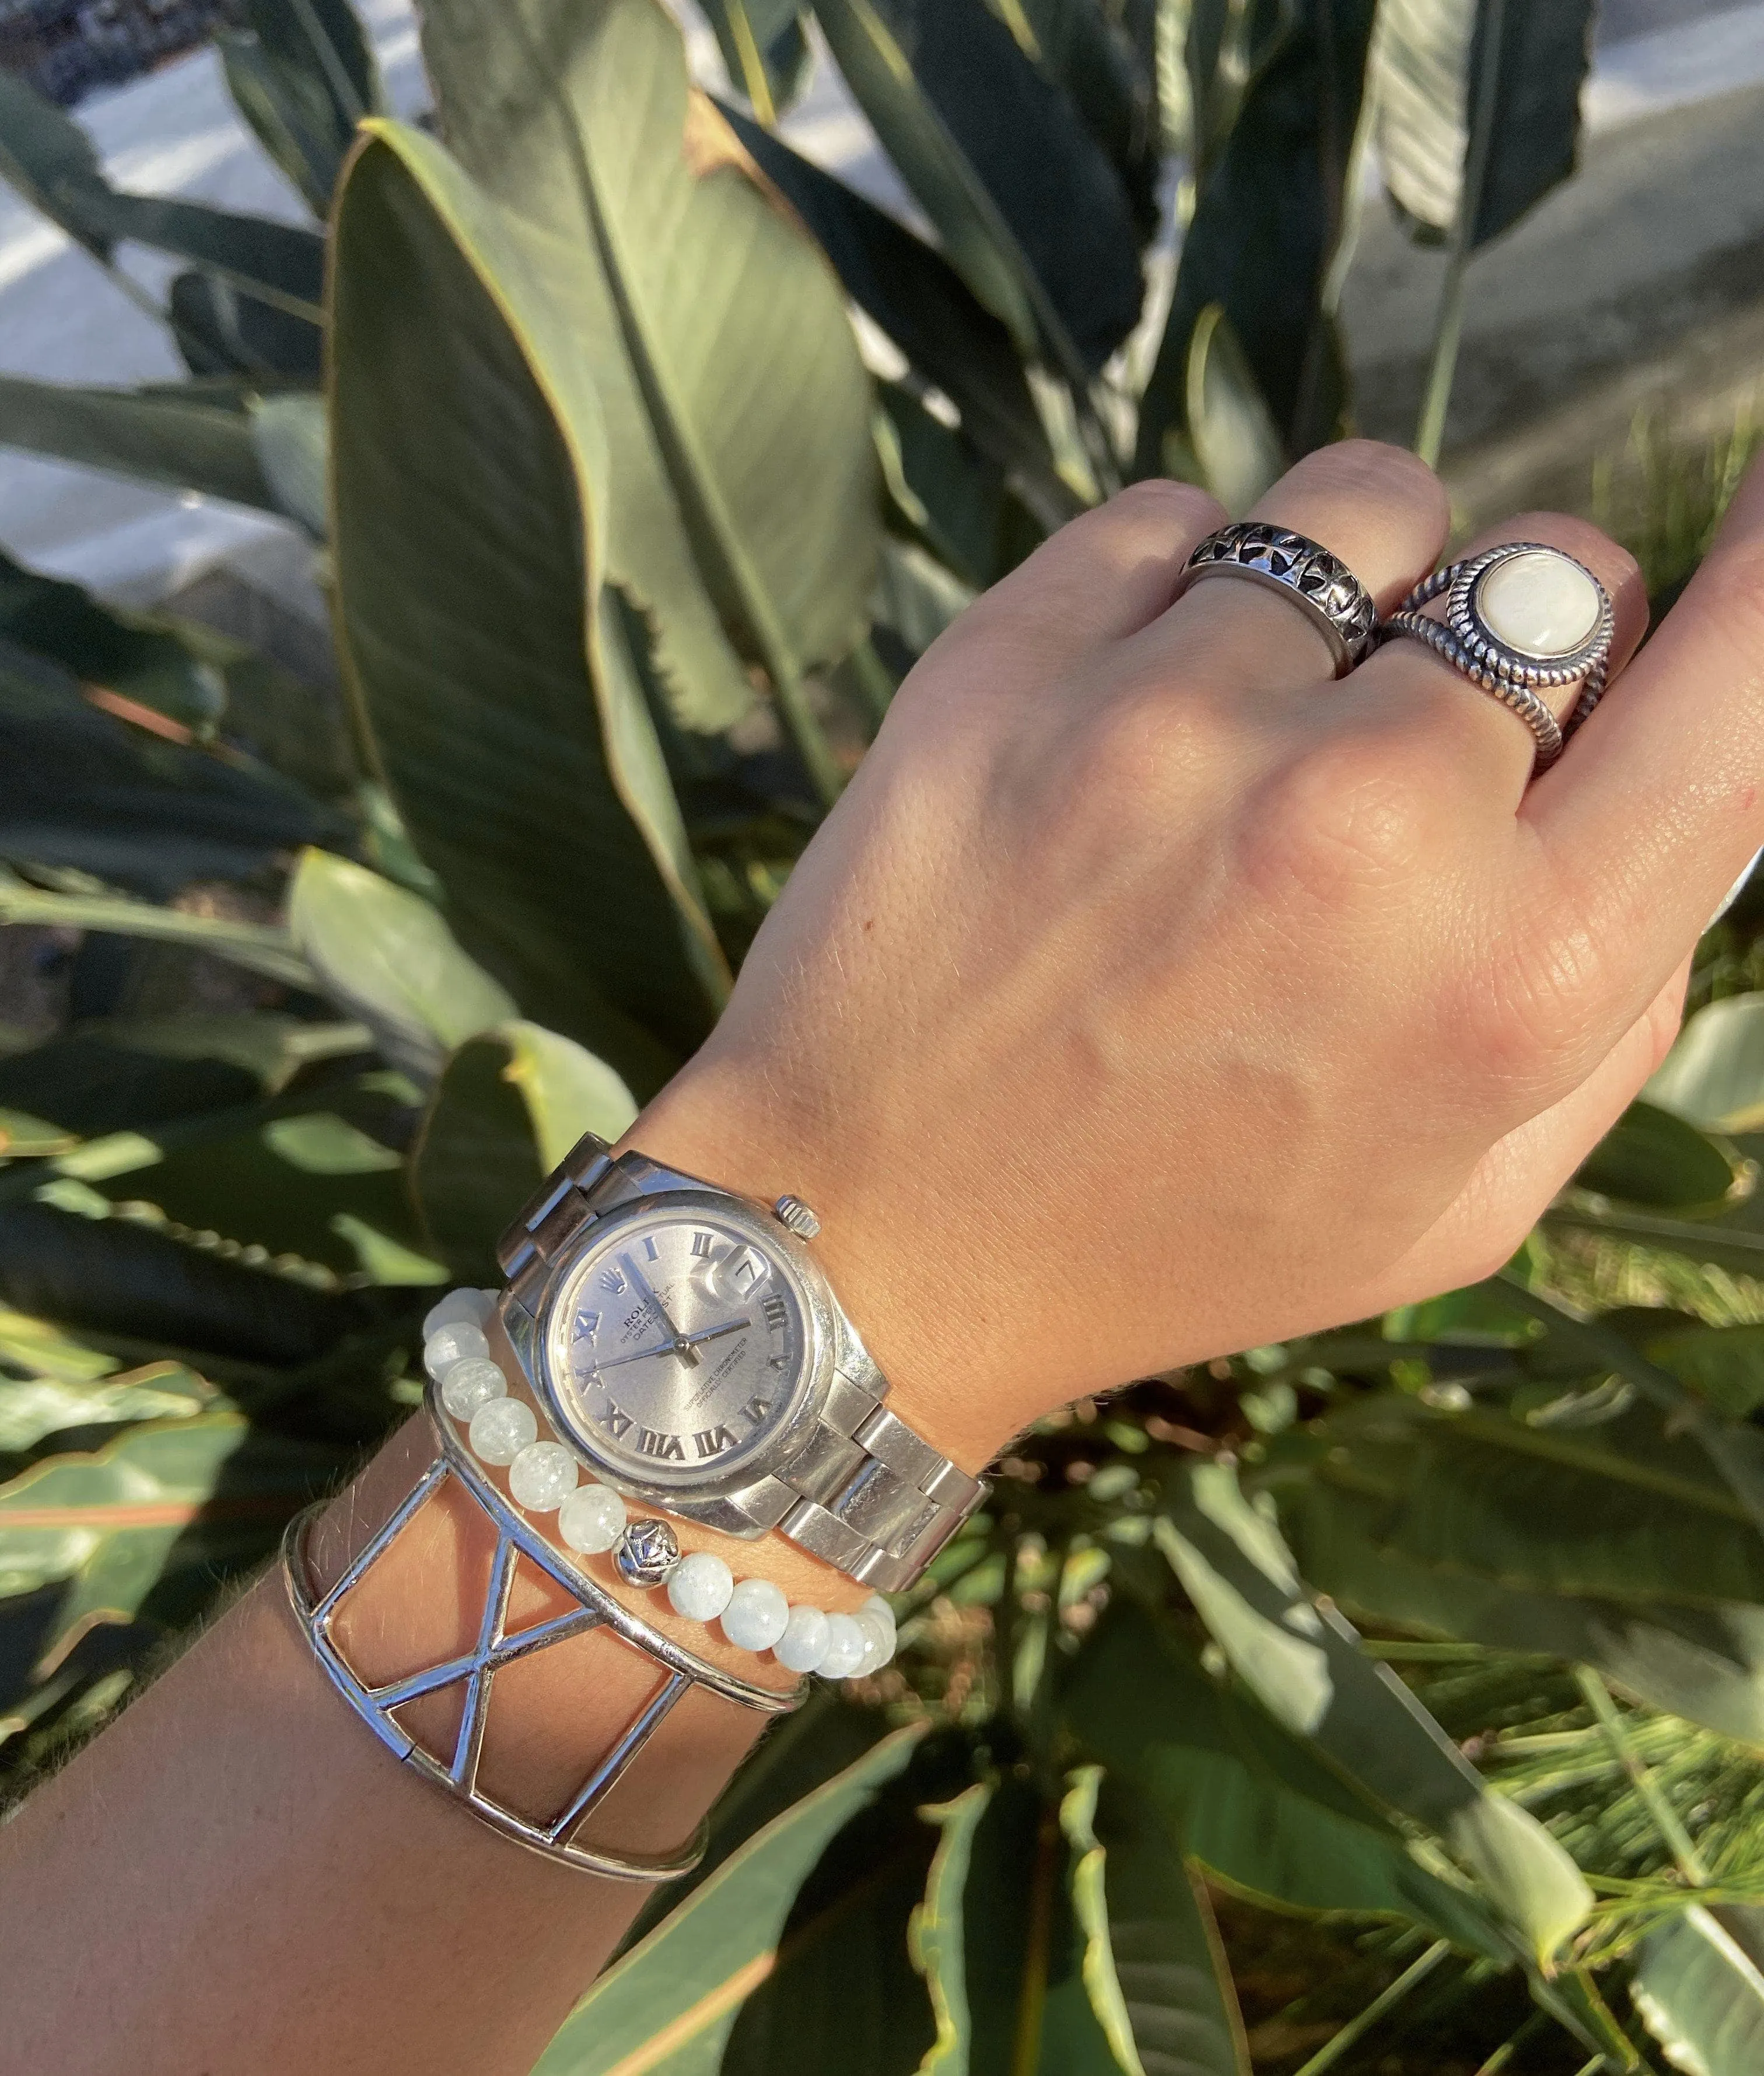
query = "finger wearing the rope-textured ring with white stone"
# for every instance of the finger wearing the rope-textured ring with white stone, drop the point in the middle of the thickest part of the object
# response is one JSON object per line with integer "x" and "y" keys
{"x": 1489, "y": 746}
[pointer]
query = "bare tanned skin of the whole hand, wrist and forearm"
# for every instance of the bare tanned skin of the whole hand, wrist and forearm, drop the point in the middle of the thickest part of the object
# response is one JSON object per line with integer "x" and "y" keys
{"x": 1147, "y": 998}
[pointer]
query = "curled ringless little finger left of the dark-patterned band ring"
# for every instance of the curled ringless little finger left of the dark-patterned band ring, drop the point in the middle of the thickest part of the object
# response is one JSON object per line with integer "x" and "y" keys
{"x": 1101, "y": 578}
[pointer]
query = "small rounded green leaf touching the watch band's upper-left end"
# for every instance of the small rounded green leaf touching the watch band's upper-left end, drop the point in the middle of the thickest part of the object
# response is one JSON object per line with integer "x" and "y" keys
{"x": 507, "y": 1110}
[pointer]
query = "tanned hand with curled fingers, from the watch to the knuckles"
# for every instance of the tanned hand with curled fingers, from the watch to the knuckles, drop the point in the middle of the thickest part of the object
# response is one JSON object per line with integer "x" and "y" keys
{"x": 1149, "y": 995}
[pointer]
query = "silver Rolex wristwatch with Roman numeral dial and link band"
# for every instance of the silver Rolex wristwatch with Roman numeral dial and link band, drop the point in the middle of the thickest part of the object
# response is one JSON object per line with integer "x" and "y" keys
{"x": 692, "y": 1353}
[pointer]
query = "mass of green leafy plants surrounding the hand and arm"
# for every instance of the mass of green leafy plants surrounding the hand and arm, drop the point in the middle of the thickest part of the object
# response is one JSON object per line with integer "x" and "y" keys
{"x": 1389, "y": 1701}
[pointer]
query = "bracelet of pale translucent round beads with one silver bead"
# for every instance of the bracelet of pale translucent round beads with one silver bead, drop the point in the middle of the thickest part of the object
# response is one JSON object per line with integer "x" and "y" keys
{"x": 592, "y": 1519}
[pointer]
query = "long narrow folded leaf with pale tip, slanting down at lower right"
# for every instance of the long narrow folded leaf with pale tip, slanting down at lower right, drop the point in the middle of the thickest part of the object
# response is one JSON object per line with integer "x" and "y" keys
{"x": 1306, "y": 1666}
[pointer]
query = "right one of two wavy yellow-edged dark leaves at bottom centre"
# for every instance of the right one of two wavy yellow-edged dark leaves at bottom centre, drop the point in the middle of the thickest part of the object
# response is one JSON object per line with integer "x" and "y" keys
{"x": 1153, "y": 1963}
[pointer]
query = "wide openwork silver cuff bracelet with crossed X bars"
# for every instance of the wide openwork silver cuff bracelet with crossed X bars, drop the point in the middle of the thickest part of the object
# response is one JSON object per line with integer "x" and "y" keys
{"x": 678, "y": 1670}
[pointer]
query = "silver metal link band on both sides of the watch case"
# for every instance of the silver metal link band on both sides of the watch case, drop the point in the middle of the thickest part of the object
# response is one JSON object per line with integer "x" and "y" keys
{"x": 866, "y": 1494}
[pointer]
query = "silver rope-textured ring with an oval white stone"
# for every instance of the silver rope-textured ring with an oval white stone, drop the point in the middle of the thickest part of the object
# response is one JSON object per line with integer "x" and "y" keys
{"x": 1522, "y": 620}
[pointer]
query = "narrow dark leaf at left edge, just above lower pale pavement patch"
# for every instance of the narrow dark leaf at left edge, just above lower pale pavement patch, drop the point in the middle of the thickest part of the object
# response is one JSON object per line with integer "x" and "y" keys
{"x": 192, "y": 437}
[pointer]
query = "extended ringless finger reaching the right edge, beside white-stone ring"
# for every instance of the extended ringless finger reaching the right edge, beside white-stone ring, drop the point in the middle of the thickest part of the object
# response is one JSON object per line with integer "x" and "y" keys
{"x": 1659, "y": 800}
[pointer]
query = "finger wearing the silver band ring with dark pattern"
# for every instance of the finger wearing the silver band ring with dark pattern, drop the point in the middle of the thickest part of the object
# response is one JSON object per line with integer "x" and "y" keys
{"x": 1381, "y": 510}
